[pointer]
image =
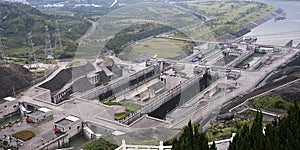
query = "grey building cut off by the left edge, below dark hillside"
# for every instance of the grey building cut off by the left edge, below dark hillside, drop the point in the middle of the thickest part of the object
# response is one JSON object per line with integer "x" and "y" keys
{"x": 8, "y": 106}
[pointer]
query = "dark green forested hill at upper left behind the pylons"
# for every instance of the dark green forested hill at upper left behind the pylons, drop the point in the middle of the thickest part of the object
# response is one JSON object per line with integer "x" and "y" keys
{"x": 16, "y": 20}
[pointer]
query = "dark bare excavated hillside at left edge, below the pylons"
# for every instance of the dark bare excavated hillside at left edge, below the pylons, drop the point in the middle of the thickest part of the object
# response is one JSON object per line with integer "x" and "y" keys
{"x": 14, "y": 78}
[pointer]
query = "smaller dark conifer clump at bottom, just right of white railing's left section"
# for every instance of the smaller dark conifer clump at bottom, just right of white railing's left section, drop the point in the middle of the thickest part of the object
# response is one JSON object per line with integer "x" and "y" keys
{"x": 191, "y": 139}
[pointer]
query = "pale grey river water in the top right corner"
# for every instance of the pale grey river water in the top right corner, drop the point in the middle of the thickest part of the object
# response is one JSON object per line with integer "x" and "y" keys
{"x": 280, "y": 32}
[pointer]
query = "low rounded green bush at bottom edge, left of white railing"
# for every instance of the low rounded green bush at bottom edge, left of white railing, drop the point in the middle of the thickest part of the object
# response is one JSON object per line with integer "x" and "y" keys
{"x": 100, "y": 144}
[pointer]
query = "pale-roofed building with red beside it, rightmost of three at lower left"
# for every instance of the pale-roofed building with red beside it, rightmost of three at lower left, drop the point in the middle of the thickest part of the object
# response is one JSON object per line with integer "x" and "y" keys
{"x": 71, "y": 125}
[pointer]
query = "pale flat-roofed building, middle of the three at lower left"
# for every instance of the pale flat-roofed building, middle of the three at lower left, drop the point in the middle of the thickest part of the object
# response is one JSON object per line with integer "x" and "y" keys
{"x": 39, "y": 115}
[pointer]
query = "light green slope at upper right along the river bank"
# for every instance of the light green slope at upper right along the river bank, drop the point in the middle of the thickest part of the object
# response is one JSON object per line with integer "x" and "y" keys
{"x": 228, "y": 16}
